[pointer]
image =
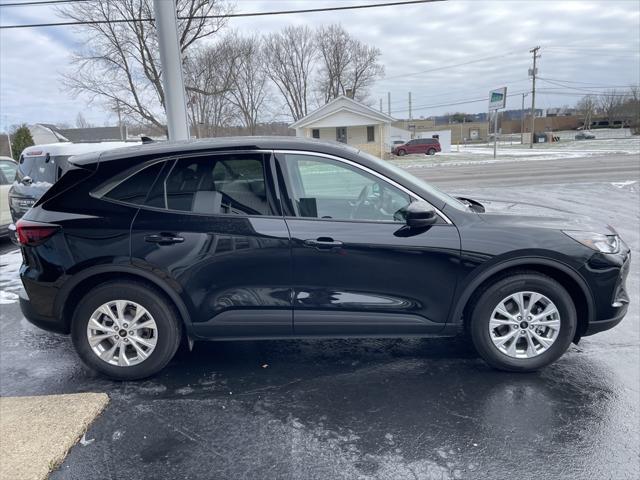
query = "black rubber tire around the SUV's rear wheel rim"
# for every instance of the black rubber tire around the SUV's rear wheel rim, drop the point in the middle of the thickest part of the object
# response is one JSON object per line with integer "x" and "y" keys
{"x": 164, "y": 314}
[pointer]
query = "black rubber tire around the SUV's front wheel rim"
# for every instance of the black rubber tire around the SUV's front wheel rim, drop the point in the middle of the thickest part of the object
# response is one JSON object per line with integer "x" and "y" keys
{"x": 489, "y": 298}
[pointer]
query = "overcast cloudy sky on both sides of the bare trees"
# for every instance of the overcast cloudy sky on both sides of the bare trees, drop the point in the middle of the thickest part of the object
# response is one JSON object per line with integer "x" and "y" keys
{"x": 586, "y": 46}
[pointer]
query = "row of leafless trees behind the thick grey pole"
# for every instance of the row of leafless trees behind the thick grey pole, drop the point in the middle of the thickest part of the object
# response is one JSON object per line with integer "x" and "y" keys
{"x": 229, "y": 78}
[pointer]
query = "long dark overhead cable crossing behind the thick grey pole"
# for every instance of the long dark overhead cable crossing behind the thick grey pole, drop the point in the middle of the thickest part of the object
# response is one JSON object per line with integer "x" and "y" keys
{"x": 231, "y": 15}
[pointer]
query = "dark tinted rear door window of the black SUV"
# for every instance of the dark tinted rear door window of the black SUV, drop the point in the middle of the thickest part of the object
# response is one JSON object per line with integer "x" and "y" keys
{"x": 219, "y": 184}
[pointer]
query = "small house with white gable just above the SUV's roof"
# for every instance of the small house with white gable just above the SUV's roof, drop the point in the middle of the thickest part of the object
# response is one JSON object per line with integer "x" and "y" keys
{"x": 347, "y": 121}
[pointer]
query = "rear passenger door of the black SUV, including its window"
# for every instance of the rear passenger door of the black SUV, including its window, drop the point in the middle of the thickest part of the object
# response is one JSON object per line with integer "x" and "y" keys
{"x": 213, "y": 229}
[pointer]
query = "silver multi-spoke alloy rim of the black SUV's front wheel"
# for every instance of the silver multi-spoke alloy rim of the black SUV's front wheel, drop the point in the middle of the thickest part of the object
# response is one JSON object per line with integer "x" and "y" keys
{"x": 524, "y": 325}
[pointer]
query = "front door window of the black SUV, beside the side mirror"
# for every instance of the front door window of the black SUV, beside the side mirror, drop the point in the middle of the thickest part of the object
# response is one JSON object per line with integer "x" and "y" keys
{"x": 324, "y": 188}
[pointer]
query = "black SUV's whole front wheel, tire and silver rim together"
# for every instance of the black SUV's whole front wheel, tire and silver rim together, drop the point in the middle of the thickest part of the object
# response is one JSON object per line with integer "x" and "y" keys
{"x": 523, "y": 322}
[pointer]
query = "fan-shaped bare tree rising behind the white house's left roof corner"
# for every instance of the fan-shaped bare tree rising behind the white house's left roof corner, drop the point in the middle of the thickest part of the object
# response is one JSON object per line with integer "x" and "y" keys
{"x": 290, "y": 57}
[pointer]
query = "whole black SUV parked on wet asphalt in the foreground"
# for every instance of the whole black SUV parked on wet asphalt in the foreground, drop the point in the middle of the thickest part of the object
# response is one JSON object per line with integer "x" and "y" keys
{"x": 134, "y": 249}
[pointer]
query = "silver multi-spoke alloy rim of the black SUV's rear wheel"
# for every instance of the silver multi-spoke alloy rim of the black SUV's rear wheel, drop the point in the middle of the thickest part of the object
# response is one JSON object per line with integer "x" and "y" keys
{"x": 122, "y": 333}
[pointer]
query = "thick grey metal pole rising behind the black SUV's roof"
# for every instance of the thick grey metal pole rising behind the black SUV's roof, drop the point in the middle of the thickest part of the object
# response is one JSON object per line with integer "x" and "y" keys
{"x": 171, "y": 60}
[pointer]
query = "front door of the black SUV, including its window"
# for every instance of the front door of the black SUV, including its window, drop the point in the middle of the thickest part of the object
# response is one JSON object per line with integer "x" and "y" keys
{"x": 356, "y": 268}
